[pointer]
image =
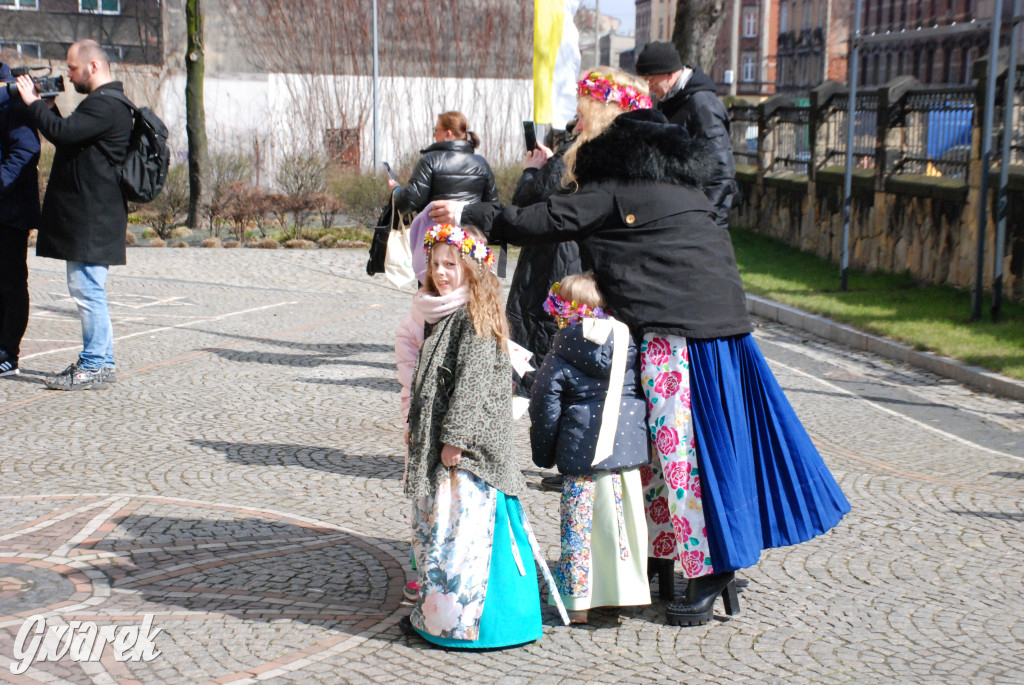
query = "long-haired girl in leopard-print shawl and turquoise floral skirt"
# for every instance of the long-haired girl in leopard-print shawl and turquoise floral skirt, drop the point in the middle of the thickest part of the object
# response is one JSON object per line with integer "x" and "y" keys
{"x": 471, "y": 536}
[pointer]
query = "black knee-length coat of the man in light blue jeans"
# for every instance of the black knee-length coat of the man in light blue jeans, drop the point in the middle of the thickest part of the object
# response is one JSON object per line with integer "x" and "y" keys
{"x": 84, "y": 215}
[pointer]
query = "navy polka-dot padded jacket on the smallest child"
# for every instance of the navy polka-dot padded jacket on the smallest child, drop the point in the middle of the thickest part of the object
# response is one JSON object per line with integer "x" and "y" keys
{"x": 568, "y": 401}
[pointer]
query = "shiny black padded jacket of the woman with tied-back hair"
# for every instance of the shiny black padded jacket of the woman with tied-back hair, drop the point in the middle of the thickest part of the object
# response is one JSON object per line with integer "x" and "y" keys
{"x": 448, "y": 170}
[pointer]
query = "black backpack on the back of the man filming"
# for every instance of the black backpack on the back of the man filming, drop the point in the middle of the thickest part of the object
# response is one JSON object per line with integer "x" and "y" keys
{"x": 145, "y": 169}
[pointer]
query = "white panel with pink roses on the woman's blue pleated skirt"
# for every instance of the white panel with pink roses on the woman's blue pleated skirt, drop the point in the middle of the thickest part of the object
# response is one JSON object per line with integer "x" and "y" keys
{"x": 672, "y": 483}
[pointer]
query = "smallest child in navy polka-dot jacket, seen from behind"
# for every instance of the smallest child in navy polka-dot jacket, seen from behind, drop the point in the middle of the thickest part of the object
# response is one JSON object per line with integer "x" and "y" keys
{"x": 588, "y": 417}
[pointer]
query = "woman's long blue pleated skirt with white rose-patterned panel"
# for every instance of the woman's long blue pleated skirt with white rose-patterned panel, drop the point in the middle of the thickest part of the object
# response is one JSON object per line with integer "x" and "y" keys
{"x": 739, "y": 472}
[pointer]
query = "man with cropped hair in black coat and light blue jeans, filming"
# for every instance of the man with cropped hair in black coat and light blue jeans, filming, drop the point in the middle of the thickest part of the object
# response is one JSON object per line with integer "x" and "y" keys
{"x": 84, "y": 217}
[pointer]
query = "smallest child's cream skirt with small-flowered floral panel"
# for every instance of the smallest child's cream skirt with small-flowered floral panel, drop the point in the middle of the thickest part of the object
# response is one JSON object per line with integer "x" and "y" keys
{"x": 605, "y": 542}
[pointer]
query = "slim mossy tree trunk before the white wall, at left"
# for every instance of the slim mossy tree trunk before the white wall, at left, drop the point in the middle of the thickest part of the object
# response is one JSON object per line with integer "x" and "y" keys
{"x": 195, "y": 110}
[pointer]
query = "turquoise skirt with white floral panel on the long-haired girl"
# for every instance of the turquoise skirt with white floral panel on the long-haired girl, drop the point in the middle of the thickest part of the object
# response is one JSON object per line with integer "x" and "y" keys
{"x": 479, "y": 588}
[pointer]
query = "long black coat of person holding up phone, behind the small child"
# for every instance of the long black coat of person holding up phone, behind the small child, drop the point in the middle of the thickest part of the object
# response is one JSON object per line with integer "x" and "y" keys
{"x": 539, "y": 266}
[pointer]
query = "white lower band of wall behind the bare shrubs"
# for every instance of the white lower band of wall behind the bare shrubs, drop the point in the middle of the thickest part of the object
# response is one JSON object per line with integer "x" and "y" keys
{"x": 290, "y": 112}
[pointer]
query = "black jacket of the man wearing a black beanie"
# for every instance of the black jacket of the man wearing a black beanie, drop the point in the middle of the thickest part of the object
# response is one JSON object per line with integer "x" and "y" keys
{"x": 697, "y": 108}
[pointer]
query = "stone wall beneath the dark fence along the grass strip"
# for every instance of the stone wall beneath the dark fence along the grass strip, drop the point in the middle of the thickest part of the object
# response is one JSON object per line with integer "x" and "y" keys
{"x": 923, "y": 227}
